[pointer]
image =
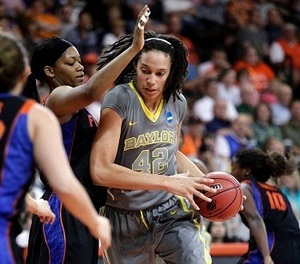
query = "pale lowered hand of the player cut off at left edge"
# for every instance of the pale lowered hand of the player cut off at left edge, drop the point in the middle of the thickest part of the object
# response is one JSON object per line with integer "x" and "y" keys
{"x": 102, "y": 231}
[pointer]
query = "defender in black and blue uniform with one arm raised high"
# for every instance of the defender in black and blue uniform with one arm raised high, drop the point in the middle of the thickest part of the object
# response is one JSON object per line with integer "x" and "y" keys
{"x": 57, "y": 62}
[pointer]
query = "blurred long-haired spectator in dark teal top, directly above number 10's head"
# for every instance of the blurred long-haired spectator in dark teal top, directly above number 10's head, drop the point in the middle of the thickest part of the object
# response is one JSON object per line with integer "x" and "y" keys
{"x": 263, "y": 126}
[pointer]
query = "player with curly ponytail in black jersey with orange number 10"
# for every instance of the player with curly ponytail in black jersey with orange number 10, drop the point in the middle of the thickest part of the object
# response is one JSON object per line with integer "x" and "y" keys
{"x": 274, "y": 229}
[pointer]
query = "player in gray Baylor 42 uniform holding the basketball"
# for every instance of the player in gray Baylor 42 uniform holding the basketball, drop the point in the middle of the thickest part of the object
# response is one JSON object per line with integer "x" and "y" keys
{"x": 136, "y": 149}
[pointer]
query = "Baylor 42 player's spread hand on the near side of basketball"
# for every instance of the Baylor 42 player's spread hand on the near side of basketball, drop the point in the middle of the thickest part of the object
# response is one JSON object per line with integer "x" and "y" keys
{"x": 188, "y": 187}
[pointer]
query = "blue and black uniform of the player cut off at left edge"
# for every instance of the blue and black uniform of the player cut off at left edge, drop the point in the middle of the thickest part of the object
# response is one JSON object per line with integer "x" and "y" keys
{"x": 17, "y": 170}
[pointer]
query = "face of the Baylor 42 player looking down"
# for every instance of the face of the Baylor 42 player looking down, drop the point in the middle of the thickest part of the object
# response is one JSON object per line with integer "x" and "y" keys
{"x": 153, "y": 69}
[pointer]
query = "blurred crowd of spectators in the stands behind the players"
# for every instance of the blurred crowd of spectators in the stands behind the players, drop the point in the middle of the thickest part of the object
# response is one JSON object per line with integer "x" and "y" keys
{"x": 243, "y": 86}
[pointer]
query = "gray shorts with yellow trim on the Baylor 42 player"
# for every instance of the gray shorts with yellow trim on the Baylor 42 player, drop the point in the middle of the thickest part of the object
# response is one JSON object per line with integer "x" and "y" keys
{"x": 170, "y": 231}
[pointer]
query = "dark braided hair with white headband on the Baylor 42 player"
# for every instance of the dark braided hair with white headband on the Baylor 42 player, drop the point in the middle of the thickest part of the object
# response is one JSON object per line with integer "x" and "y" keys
{"x": 153, "y": 41}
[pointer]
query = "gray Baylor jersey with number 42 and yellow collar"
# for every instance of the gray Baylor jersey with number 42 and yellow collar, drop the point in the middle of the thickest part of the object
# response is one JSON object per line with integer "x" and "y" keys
{"x": 148, "y": 142}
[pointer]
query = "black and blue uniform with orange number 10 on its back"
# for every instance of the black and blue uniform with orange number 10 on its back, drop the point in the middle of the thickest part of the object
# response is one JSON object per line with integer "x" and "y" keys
{"x": 281, "y": 224}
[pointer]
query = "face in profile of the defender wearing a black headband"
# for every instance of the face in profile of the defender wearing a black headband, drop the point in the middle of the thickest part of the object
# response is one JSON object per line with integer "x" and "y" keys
{"x": 68, "y": 69}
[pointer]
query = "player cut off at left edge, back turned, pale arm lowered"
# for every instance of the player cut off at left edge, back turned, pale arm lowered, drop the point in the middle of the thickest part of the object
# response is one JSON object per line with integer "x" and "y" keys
{"x": 30, "y": 134}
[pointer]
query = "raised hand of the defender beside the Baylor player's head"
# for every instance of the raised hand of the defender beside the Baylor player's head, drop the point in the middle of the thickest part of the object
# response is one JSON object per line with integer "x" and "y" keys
{"x": 143, "y": 18}
